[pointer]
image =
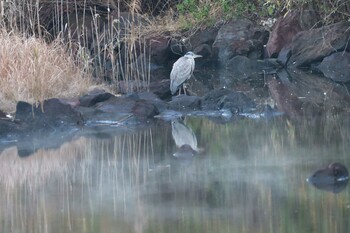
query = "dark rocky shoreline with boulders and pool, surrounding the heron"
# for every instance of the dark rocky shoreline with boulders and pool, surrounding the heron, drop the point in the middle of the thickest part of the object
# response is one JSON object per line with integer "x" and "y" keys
{"x": 304, "y": 69}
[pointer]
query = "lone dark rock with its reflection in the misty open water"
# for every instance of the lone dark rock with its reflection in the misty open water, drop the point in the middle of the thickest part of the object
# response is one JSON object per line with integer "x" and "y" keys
{"x": 333, "y": 178}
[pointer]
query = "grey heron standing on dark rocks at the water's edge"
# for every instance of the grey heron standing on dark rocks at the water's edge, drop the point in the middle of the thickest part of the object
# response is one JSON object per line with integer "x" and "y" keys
{"x": 182, "y": 70}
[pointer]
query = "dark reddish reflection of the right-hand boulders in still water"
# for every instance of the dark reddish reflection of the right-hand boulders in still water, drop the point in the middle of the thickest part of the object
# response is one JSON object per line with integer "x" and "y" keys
{"x": 299, "y": 93}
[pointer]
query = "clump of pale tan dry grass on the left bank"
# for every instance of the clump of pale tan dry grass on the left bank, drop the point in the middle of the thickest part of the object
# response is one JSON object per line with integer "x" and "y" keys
{"x": 32, "y": 71}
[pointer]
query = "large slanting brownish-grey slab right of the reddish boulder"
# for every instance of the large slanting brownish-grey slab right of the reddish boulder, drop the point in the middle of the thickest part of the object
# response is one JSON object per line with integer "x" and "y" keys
{"x": 313, "y": 45}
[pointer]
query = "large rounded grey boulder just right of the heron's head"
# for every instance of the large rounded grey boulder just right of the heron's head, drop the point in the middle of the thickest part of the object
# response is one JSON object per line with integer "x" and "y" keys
{"x": 240, "y": 37}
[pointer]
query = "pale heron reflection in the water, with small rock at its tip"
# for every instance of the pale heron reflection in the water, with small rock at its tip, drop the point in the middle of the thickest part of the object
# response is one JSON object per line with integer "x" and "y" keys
{"x": 185, "y": 140}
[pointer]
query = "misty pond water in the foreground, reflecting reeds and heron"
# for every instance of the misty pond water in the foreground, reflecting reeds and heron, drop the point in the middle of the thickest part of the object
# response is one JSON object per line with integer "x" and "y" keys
{"x": 247, "y": 175}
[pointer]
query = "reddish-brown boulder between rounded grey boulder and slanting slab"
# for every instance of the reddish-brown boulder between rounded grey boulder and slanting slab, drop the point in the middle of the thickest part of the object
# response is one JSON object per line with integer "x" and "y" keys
{"x": 286, "y": 27}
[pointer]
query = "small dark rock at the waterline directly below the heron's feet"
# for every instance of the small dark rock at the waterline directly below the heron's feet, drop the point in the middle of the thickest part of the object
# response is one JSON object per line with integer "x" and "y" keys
{"x": 185, "y": 103}
